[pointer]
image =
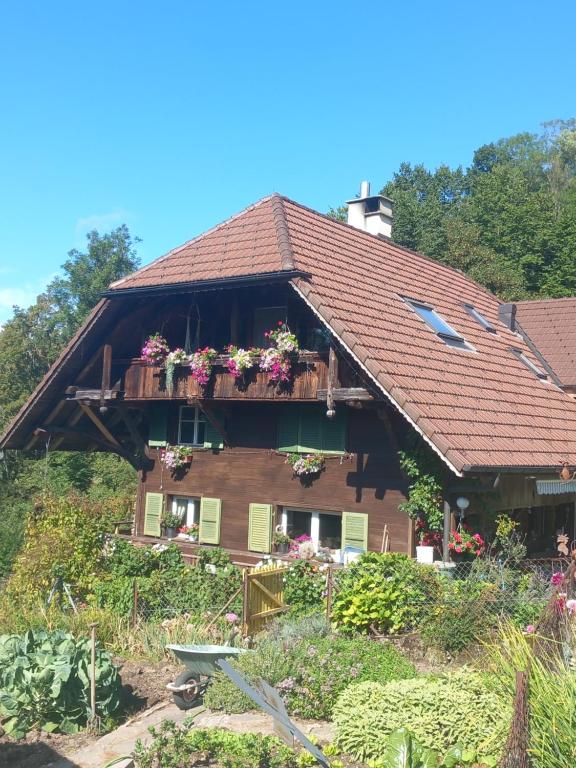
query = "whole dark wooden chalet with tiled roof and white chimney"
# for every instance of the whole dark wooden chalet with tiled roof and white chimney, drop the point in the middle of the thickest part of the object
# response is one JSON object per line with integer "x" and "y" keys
{"x": 391, "y": 343}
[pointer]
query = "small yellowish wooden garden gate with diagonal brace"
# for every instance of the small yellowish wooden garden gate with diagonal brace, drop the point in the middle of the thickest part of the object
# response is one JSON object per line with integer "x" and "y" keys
{"x": 263, "y": 596}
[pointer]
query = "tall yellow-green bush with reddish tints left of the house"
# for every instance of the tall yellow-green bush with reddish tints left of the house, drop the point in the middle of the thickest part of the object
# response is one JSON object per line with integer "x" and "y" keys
{"x": 50, "y": 533}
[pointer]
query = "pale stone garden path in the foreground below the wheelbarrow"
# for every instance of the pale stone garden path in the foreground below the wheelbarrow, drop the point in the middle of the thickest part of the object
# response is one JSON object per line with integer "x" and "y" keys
{"x": 122, "y": 741}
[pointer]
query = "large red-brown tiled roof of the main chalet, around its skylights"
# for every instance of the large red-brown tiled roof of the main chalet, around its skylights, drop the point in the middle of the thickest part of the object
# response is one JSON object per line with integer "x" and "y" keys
{"x": 481, "y": 410}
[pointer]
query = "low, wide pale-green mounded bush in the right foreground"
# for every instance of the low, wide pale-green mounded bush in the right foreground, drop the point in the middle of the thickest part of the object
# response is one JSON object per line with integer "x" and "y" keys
{"x": 440, "y": 712}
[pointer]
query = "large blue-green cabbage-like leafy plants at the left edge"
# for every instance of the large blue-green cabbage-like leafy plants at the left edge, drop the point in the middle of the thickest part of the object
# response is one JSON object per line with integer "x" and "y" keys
{"x": 45, "y": 683}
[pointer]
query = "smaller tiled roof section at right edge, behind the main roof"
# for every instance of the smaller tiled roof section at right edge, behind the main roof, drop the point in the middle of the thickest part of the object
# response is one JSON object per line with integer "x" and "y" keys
{"x": 551, "y": 325}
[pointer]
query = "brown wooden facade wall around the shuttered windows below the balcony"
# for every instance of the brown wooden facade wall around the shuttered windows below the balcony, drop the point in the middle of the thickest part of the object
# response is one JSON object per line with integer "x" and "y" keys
{"x": 365, "y": 479}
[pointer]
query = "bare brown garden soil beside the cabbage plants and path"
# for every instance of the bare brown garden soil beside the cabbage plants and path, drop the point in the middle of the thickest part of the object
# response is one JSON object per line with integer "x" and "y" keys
{"x": 144, "y": 685}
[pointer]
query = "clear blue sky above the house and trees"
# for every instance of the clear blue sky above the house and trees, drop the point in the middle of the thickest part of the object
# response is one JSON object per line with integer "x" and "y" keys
{"x": 172, "y": 116}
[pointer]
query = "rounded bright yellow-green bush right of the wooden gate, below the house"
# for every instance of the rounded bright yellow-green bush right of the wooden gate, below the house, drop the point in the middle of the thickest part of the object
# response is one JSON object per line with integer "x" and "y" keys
{"x": 385, "y": 592}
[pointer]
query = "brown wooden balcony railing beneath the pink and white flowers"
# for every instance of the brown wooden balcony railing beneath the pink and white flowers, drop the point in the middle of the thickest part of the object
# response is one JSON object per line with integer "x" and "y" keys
{"x": 141, "y": 381}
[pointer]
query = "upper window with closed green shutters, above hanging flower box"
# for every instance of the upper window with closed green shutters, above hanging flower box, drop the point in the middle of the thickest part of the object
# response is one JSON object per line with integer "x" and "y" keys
{"x": 306, "y": 429}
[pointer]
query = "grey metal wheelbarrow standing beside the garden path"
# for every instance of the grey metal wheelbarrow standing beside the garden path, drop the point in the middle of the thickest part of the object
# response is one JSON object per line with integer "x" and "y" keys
{"x": 200, "y": 662}
